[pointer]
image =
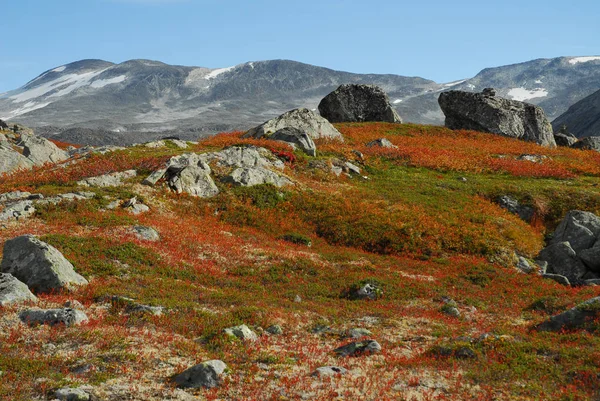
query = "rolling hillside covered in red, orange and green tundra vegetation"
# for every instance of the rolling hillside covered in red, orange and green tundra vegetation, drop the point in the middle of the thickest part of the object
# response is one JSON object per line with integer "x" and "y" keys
{"x": 420, "y": 223}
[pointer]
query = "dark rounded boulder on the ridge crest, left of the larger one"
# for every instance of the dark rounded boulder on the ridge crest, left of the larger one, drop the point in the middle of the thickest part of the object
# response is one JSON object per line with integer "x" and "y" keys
{"x": 358, "y": 103}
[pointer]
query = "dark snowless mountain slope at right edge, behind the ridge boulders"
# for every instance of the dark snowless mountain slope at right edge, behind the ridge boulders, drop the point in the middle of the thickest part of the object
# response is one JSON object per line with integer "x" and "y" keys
{"x": 583, "y": 118}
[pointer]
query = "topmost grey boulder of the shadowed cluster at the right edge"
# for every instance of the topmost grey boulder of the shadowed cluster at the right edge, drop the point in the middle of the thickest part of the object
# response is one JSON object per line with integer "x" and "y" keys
{"x": 580, "y": 228}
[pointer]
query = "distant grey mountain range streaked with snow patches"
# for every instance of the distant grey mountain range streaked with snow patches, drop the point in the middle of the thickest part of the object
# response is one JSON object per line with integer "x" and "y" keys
{"x": 95, "y": 101}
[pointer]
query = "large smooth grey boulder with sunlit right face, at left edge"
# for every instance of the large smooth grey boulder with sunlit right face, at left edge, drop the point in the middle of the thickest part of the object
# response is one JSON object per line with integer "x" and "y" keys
{"x": 39, "y": 265}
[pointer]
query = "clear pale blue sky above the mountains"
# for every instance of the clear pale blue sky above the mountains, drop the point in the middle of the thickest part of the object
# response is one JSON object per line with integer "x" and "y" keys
{"x": 435, "y": 39}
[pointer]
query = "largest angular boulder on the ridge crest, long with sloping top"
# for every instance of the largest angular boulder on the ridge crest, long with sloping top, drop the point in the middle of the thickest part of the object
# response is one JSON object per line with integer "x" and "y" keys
{"x": 485, "y": 113}
